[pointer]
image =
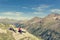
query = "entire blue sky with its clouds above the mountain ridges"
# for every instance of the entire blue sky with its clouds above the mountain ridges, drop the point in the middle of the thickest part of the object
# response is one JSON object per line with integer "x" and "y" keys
{"x": 26, "y": 9}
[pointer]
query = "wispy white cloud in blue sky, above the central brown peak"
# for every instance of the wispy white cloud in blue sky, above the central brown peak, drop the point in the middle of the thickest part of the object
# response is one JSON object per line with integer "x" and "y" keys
{"x": 40, "y": 9}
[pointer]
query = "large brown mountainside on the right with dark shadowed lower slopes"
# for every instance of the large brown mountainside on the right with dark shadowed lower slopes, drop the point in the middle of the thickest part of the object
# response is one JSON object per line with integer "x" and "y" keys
{"x": 48, "y": 27}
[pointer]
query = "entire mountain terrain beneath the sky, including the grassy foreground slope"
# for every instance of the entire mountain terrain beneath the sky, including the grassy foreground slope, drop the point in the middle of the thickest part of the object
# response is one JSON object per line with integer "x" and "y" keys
{"x": 47, "y": 28}
